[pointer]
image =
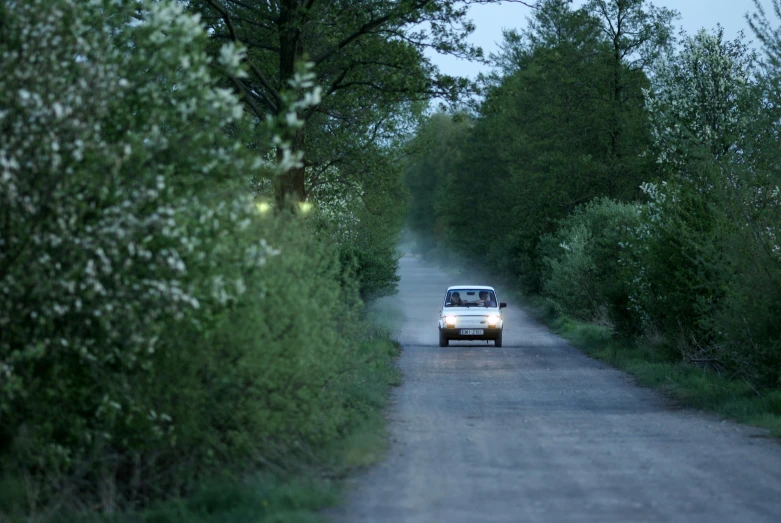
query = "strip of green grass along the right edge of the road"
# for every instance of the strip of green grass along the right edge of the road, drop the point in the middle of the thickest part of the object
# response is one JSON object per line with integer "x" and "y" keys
{"x": 655, "y": 367}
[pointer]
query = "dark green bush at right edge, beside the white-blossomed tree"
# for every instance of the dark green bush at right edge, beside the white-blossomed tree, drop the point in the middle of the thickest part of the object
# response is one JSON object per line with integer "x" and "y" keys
{"x": 744, "y": 258}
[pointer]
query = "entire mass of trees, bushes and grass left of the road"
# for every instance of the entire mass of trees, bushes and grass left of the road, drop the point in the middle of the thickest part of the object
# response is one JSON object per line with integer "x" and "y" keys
{"x": 184, "y": 336}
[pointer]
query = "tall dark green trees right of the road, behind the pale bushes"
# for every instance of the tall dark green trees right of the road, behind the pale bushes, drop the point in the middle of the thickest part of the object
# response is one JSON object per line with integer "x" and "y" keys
{"x": 551, "y": 134}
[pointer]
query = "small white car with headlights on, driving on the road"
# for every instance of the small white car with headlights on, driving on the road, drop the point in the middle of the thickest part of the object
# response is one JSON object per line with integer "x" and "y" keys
{"x": 471, "y": 312}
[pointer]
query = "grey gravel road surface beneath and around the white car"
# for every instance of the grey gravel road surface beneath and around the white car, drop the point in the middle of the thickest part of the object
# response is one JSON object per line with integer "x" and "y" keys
{"x": 536, "y": 431}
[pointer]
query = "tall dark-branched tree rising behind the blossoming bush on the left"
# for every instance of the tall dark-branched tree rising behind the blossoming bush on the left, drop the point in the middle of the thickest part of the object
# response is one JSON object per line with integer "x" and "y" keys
{"x": 367, "y": 55}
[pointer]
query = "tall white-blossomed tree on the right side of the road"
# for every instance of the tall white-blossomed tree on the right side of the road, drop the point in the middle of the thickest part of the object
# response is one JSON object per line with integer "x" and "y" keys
{"x": 701, "y": 104}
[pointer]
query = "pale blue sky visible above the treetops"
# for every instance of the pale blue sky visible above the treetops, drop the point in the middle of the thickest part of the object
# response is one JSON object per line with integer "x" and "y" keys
{"x": 490, "y": 19}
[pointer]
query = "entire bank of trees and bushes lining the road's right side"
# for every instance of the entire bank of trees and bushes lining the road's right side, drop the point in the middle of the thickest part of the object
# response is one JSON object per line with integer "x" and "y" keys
{"x": 632, "y": 182}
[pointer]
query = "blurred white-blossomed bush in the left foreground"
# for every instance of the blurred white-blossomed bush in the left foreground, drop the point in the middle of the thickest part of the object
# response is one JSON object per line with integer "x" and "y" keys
{"x": 111, "y": 134}
